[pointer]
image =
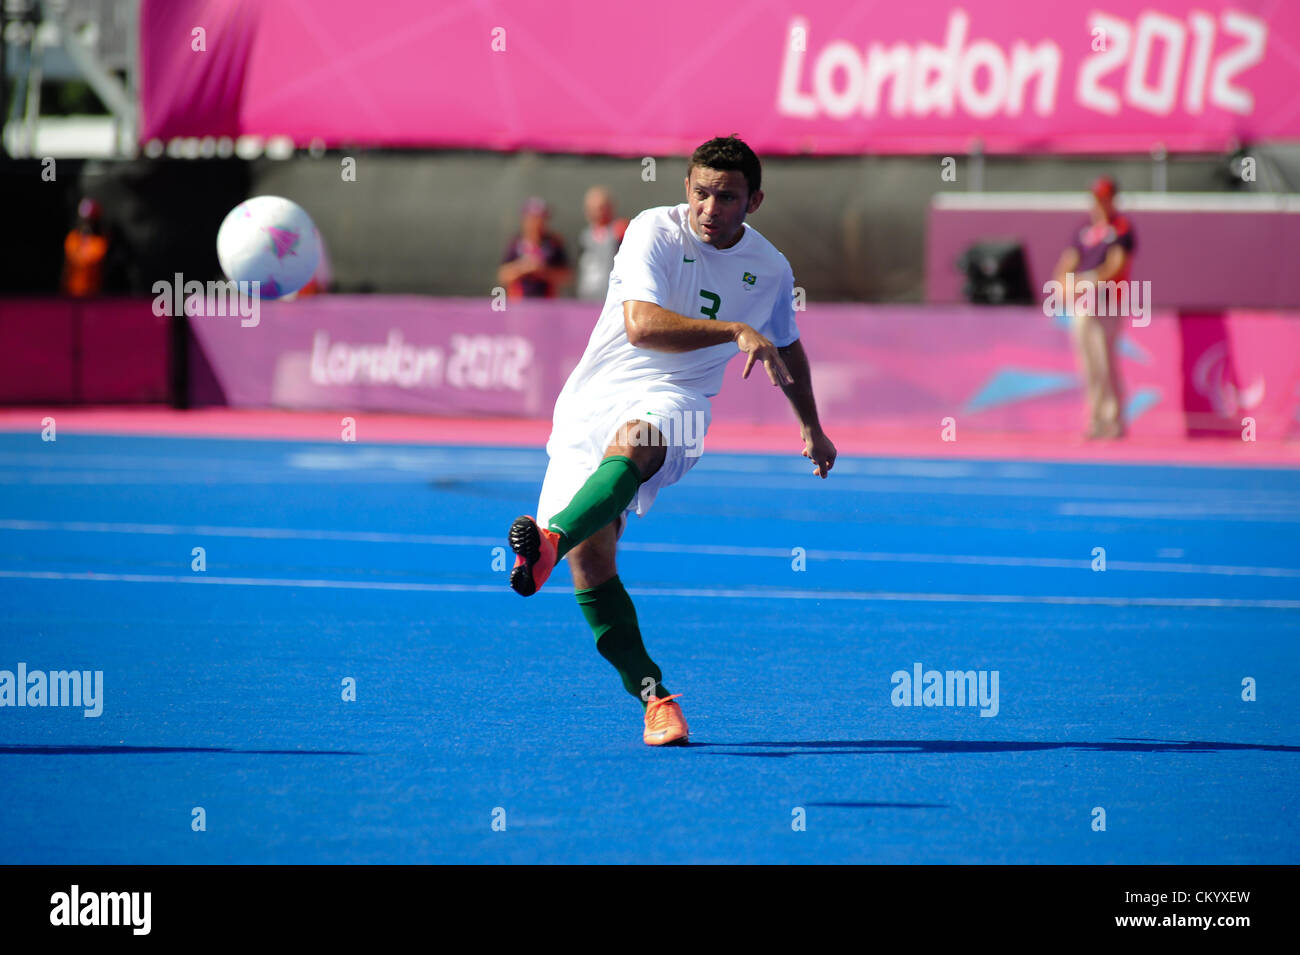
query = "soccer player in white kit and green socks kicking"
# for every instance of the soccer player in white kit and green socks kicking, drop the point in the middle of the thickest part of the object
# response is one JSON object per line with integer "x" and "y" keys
{"x": 692, "y": 286}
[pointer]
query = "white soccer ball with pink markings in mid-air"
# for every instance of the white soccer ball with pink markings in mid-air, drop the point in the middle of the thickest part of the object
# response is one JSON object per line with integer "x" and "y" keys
{"x": 272, "y": 241}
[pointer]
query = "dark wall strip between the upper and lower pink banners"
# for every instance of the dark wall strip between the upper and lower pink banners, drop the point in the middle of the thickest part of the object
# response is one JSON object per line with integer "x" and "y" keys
{"x": 437, "y": 223}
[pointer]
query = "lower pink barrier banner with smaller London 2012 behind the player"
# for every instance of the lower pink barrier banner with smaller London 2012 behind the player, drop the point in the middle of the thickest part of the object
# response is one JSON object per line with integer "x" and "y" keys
{"x": 995, "y": 370}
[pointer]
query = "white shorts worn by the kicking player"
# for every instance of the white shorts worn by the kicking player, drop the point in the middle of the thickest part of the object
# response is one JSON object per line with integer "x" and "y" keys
{"x": 582, "y": 431}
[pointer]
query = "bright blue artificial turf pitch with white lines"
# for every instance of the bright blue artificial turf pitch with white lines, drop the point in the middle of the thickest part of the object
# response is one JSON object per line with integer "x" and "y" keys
{"x": 1117, "y": 689}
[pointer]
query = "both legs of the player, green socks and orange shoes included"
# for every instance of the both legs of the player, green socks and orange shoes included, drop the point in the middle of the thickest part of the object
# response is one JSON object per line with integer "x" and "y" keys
{"x": 587, "y": 531}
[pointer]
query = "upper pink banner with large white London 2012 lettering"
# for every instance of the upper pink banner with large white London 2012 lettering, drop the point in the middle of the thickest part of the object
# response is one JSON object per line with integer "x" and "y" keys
{"x": 820, "y": 77}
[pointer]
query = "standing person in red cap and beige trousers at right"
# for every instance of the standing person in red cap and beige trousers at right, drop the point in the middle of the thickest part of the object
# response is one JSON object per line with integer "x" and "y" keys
{"x": 1102, "y": 251}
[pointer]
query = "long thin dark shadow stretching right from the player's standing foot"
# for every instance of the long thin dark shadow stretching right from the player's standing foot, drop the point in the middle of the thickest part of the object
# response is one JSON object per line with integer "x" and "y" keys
{"x": 851, "y": 748}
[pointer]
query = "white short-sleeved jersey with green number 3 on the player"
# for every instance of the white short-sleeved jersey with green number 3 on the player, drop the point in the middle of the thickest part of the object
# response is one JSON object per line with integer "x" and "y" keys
{"x": 664, "y": 262}
